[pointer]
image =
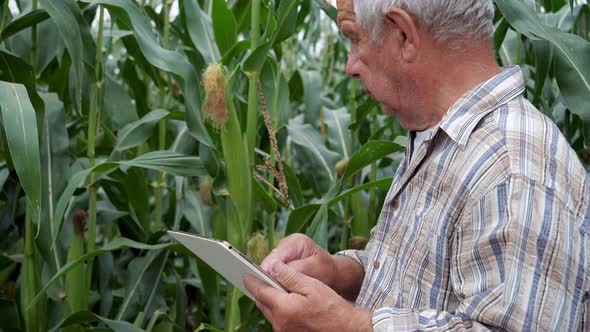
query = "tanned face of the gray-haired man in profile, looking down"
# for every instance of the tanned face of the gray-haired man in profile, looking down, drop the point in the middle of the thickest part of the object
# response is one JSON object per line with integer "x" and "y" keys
{"x": 378, "y": 67}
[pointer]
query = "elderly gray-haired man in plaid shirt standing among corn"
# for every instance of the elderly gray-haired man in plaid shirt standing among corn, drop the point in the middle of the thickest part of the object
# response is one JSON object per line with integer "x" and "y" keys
{"x": 487, "y": 223}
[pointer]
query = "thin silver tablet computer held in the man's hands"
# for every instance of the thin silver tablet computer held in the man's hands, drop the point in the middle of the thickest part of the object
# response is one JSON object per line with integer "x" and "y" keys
{"x": 225, "y": 259}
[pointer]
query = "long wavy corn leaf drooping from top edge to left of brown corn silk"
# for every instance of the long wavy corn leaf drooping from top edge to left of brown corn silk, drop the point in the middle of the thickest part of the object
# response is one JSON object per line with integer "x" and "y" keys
{"x": 132, "y": 16}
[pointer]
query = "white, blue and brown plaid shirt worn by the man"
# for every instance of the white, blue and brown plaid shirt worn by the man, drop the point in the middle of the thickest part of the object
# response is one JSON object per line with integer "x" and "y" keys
{"x": 487, "y": 228}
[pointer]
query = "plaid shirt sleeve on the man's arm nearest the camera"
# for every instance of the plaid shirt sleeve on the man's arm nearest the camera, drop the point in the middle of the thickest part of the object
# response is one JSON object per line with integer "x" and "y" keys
{"x": 517, "y": 263}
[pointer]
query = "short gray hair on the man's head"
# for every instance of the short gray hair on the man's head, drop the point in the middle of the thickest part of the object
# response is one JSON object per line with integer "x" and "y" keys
{"x": 446, "y": 19}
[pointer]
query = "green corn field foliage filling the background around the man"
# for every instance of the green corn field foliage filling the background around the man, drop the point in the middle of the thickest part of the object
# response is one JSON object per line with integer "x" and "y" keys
{"x": 121, "y": 119}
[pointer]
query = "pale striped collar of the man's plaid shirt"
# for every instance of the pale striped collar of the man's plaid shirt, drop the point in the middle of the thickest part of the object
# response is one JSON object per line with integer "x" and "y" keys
{"x": 462, "y": 118}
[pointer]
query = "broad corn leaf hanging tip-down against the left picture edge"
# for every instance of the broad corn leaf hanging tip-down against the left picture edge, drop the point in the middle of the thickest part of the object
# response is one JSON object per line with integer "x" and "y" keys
{"x": 20, "y": 126}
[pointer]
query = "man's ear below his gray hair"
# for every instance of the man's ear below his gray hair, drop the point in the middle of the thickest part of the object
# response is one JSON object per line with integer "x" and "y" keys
{"x": 404, "y": 29}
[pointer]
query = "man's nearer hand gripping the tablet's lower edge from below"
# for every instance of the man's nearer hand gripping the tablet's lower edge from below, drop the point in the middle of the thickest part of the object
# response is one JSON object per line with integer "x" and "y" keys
{"x": 311, "y": 305}
